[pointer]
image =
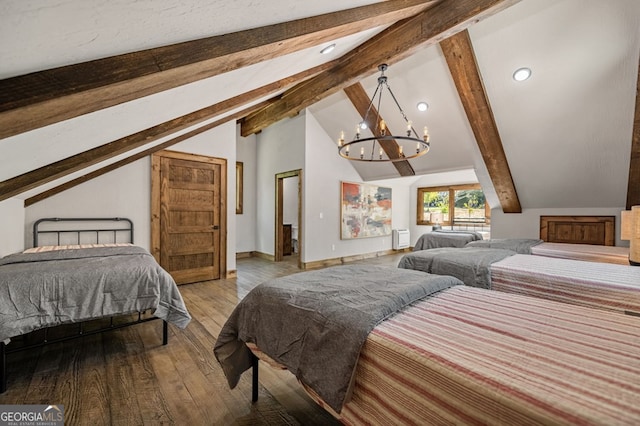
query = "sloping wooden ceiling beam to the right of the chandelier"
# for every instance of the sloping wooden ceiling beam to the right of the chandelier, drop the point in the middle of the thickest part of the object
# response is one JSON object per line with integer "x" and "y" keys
{"x": 461, "y": 60}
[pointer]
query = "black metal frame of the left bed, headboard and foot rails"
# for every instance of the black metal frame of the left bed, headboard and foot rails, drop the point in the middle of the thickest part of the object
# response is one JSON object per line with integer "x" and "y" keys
{"x": 127, "y": 229}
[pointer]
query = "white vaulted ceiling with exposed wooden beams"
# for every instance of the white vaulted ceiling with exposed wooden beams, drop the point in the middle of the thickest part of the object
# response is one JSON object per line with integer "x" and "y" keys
{"x": 570, "y": 131}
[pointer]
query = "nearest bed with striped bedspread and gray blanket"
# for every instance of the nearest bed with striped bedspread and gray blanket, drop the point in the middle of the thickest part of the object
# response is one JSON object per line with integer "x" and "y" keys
{"x": 455, "y": 355}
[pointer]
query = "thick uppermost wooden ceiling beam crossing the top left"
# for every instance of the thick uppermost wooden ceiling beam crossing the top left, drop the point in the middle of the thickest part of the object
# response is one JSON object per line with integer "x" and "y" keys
{"x": 42, "y": 98}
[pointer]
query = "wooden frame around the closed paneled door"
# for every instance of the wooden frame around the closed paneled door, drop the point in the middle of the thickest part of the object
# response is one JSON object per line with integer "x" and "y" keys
{"x": 155, "y": 201}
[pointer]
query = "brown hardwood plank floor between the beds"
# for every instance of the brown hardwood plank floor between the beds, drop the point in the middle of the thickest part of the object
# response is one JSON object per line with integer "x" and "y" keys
{"x": 126, "y": 376}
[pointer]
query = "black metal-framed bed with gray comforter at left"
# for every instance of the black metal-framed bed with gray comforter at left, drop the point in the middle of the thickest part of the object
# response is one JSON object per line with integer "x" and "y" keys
{"x": 50, "y": 285}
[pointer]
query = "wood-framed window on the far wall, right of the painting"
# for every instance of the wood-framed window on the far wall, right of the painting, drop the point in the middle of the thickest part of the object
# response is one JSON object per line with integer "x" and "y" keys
{"x": 452, "y": 205}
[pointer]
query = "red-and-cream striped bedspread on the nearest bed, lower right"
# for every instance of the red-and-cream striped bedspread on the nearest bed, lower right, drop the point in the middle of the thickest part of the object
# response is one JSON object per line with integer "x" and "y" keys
{"x": 472, "y": 356}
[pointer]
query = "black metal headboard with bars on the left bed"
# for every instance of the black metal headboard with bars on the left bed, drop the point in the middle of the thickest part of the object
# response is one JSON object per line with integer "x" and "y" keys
{"x": 112, "y": 229}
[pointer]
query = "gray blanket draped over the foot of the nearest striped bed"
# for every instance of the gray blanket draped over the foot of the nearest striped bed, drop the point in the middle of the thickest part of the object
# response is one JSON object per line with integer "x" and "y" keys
{"x": 315, "y": 323}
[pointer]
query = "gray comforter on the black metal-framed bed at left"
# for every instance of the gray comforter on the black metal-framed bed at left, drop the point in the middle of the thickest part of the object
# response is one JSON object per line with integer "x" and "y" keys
{"x": 45, "y": 289}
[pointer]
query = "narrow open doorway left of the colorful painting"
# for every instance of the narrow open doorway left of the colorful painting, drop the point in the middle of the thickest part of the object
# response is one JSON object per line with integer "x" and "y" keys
{"x": 288, "y": 224}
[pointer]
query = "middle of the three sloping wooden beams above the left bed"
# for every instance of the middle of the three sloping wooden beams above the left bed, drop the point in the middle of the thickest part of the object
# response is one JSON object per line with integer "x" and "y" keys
{"x": 26, "y": 181}
